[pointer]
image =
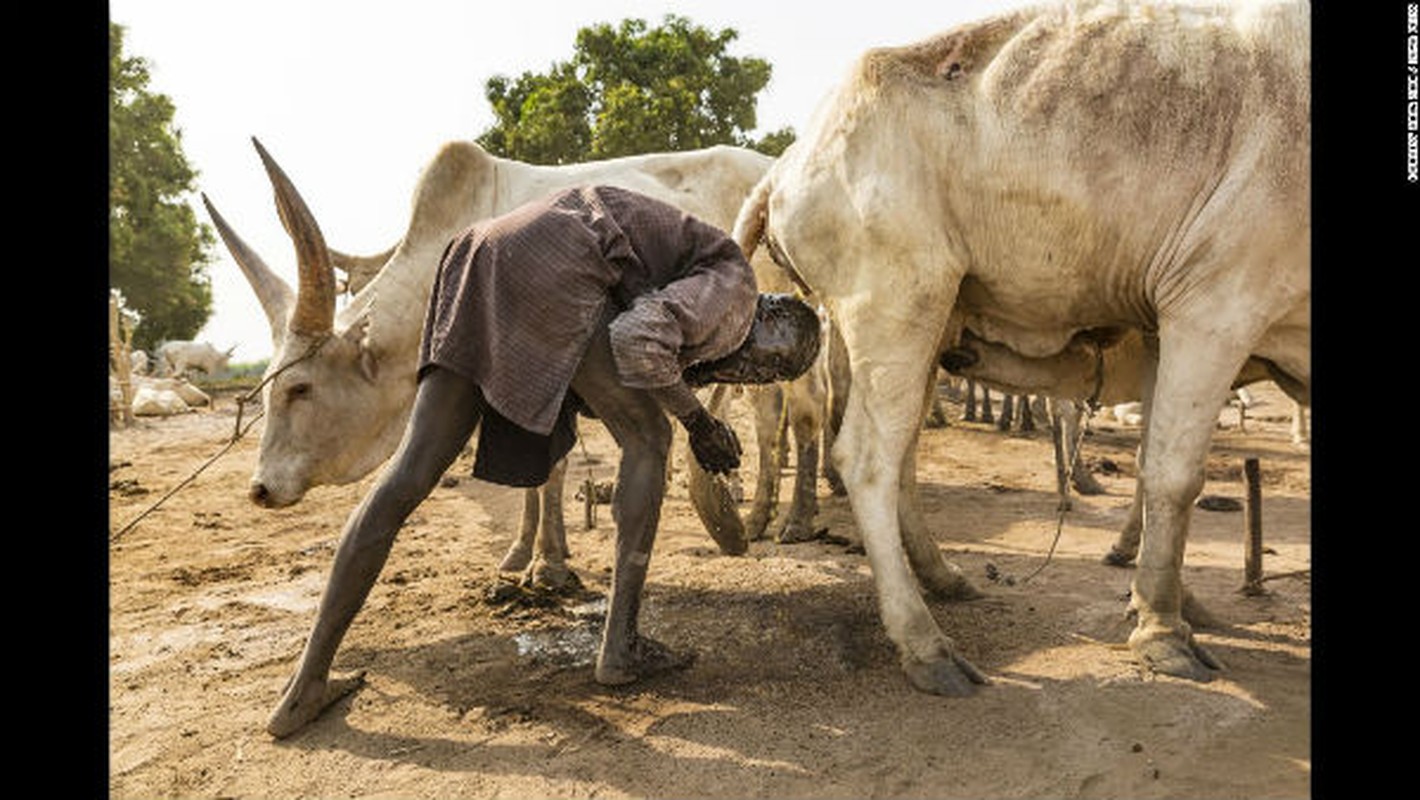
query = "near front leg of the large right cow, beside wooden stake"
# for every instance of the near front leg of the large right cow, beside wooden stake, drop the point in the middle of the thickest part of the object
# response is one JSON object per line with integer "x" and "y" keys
{"x": 1194, "y": 379}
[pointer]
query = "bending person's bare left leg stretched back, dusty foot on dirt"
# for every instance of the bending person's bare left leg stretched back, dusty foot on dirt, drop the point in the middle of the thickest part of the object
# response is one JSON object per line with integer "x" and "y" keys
{"x": 447, "y": 410}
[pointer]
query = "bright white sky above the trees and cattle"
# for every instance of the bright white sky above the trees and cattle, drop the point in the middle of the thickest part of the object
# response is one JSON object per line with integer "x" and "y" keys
{"x": 354, "y": 97}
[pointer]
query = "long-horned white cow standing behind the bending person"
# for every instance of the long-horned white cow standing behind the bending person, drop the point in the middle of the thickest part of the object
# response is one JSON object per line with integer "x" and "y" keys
{"x": 342, "y": 386}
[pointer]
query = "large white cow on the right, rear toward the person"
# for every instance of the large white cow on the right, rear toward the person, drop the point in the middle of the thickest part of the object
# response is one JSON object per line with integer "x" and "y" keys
{"x": 1054, "y": 175}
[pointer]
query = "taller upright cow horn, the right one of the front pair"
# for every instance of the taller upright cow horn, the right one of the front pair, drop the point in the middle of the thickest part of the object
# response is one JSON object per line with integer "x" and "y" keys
{"x": 316, "y": 293}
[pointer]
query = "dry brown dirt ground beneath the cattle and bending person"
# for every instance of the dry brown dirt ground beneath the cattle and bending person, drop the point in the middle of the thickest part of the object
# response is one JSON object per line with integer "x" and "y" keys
{"x": 796, "y": 690}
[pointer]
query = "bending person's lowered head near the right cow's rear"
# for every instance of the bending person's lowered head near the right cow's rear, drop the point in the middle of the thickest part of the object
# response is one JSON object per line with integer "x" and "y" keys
{"x": 782, "y": 346}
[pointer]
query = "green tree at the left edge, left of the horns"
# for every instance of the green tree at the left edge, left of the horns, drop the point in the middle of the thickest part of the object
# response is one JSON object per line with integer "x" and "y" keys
{"x": 158, "y": 251}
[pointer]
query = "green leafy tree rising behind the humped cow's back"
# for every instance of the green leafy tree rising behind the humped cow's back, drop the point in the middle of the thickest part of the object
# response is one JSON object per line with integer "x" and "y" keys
{"x": 631, "y": 90}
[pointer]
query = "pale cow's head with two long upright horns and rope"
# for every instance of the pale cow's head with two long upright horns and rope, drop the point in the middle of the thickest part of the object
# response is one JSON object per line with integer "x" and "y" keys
{"x": 332, "y": 414}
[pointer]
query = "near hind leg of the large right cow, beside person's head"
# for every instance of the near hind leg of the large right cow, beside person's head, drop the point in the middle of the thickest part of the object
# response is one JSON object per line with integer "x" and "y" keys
{"x": 891, "y": 364}
